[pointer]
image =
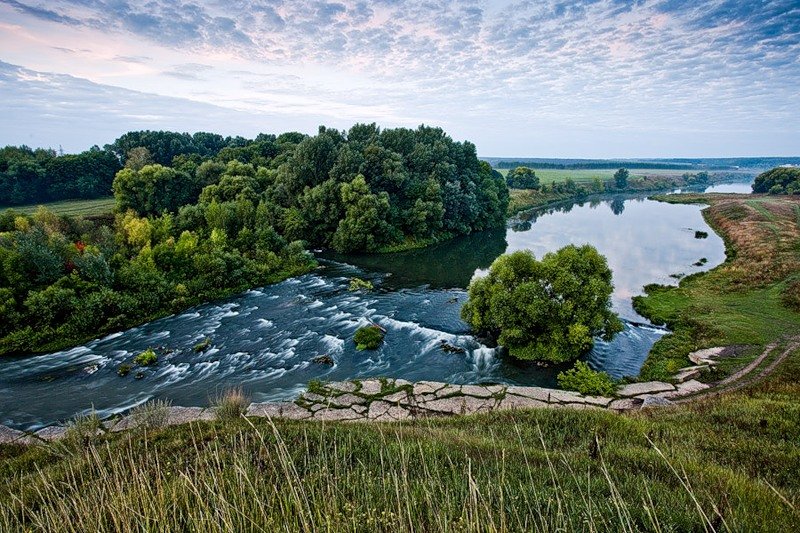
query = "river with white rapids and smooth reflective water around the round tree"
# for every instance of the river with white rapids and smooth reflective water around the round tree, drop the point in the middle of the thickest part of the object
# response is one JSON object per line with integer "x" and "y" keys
{"x": 265, "y": 339}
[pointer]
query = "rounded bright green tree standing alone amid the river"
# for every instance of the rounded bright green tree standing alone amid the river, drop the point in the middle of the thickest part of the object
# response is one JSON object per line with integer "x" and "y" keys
{"x": 544, "y": 310}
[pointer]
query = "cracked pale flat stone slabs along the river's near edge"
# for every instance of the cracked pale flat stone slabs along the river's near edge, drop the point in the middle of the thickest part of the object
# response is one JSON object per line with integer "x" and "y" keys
{"x": 391, "y": 400}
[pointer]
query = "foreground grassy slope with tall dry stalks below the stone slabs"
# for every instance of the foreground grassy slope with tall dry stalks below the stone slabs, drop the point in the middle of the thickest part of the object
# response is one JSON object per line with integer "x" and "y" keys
{"x": 726, "y": 464}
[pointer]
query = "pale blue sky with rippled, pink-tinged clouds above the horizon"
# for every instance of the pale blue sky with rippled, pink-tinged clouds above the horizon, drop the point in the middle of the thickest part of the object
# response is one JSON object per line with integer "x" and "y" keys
{"x": 539, "y": 78}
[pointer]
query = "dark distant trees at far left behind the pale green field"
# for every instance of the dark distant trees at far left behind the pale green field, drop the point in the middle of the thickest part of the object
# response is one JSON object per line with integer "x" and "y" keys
{"x": 34, "y": 176}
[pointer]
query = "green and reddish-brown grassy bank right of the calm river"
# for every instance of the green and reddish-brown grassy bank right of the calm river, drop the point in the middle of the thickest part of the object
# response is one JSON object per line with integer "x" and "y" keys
{"x": 747, "y": 301}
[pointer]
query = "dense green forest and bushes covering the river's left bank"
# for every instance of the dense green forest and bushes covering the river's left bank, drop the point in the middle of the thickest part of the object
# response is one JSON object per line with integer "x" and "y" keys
{"x": 202, "y": 217}
